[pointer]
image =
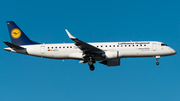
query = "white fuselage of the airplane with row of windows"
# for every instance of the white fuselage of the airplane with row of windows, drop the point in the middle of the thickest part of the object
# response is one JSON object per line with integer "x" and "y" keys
{"x": 123, "y": 49}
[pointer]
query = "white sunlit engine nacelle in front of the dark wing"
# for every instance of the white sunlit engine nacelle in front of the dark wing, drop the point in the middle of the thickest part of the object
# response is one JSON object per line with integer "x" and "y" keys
{"x": 111, "y": 54}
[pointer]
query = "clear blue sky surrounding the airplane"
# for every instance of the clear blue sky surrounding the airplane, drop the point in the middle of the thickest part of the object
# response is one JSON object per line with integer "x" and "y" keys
{"x": 28, "y": 78}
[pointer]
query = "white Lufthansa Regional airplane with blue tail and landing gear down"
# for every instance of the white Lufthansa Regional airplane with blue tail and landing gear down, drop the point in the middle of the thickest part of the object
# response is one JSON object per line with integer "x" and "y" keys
{"x": 107, "y": 53}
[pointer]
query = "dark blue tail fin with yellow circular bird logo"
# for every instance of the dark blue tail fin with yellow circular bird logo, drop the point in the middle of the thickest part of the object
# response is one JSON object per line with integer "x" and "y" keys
{"x": 17, "y": 35}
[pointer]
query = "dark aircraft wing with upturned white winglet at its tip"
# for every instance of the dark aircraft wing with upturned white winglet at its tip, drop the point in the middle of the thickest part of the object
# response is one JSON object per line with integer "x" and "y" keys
{"x": 85, "y": 47}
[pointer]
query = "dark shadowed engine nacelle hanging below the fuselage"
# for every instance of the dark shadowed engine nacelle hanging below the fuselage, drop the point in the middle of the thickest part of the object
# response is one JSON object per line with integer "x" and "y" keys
{"x": 114, "y": 62}
